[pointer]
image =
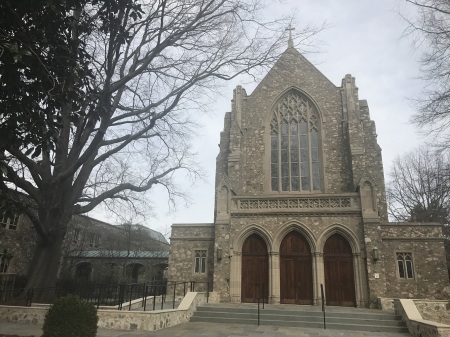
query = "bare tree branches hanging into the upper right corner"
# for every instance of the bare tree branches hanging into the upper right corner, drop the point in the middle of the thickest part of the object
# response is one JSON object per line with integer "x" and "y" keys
{"x": 431, "y": 32}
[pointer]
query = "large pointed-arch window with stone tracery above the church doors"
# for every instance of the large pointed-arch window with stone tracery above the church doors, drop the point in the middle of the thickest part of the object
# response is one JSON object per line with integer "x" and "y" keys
{"x": 294, "y": 136}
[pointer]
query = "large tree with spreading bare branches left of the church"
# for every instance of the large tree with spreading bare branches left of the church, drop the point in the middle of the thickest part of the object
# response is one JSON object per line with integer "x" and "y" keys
{"x": 104, "y": 113}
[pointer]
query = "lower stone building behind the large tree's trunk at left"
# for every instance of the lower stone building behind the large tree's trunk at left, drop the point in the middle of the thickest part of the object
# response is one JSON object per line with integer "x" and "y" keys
{"x": 93, "y": 252}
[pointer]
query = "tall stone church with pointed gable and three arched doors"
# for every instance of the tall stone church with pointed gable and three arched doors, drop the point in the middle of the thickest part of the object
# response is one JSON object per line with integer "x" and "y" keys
{"x": 300, "y": 203}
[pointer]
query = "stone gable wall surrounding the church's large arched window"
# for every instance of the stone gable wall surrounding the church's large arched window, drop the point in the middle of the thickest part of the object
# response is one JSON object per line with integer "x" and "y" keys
{"x": 252, "y": 173}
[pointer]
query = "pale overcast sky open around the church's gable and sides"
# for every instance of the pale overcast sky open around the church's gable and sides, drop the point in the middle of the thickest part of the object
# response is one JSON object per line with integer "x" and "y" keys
{"x": 364, "y": 39}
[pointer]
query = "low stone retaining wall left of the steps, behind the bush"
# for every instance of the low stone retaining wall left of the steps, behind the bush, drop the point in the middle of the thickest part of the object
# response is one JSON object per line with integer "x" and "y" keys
{"x": 114, "y": 319}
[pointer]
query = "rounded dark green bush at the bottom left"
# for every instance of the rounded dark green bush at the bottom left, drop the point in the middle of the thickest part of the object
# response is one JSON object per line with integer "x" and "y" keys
{"x": 70, "y": 316}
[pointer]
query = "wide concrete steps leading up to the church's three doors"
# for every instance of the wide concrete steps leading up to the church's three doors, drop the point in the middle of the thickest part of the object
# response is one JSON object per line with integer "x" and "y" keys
{"x": 301, "y": 316}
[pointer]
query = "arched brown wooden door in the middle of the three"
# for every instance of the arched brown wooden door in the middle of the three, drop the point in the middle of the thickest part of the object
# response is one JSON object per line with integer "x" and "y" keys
{"x": 296, "y": 283}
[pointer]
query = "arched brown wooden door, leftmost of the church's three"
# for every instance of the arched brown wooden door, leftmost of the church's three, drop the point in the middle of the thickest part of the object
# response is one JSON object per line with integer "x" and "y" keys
{"x": 255, "y": 265}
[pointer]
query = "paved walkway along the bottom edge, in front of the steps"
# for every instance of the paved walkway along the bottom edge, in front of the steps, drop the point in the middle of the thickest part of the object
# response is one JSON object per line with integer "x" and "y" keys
{"x": 196, "y": 329}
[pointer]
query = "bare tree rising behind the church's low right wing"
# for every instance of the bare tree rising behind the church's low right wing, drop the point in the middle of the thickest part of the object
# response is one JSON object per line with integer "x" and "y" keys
{"x": 419, "y": 187}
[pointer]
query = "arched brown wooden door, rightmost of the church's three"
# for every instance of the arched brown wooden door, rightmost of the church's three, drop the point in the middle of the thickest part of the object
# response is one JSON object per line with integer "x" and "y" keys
{"x": 339, "y": 276}
